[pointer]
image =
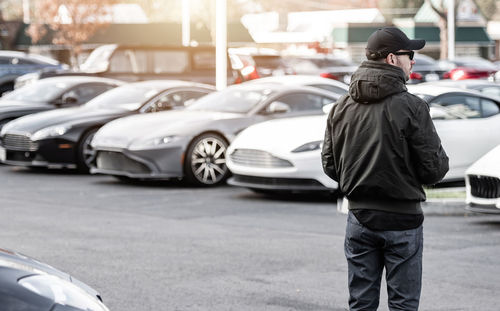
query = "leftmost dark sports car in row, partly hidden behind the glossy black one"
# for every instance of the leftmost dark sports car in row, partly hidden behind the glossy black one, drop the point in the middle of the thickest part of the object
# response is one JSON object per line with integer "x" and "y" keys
{"x": 52, "y": 93}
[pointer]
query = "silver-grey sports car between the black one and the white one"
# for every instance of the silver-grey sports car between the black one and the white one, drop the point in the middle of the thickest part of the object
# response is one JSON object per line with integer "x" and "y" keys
{"x": 191, "y": 143}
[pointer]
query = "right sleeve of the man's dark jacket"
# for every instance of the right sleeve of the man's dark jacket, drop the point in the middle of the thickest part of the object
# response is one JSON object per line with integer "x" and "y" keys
{"x": 429, "y": 158}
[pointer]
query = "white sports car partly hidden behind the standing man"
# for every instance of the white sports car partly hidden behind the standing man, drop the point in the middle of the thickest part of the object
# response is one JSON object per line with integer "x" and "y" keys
{"x": 285, "y": 154}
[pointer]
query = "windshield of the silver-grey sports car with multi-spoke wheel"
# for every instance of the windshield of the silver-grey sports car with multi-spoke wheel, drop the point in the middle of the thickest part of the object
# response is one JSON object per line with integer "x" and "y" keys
{"x": 234, "y": 100}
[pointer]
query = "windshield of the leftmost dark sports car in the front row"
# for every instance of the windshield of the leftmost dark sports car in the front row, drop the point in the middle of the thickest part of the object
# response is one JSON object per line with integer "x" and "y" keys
{"x": 39, "y": 92}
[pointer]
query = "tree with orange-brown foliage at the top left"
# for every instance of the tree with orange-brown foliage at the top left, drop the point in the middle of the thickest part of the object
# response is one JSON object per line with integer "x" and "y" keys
{"x": 72, "y": 22}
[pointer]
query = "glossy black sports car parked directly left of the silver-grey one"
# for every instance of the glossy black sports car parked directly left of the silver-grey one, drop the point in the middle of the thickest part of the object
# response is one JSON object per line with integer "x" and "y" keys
{"x": 61, "y": 138}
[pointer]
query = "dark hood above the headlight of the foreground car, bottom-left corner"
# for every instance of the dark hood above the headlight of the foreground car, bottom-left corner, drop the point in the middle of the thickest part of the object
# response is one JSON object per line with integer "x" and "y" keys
{"x": 31, "y": 266}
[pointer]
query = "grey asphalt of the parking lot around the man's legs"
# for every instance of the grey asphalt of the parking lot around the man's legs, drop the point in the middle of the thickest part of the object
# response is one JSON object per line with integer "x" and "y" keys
{"x": 164, "y": 246}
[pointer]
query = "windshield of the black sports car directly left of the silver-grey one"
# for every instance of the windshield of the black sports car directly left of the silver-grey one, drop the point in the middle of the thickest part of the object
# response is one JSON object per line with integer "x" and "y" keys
{"x": 127, "y": 97}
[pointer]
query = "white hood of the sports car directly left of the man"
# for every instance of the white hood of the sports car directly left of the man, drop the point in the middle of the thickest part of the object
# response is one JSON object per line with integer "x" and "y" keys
{"x": 282, "y": 135}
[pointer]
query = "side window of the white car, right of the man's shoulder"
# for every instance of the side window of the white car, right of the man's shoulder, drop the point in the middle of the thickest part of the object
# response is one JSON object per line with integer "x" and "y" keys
{"x": 457, "y": 107}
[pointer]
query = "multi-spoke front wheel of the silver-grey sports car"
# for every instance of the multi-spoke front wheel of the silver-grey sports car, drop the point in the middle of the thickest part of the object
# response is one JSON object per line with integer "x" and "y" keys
{"x": 205, "y": 163}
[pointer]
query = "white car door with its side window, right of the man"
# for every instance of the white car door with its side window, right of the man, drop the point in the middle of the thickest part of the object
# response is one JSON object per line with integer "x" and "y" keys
{"x": 468, "y": 126}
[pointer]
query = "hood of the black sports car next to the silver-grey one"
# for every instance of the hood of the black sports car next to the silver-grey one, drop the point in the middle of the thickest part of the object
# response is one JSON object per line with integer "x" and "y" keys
{"x": 37, "y": 121}
